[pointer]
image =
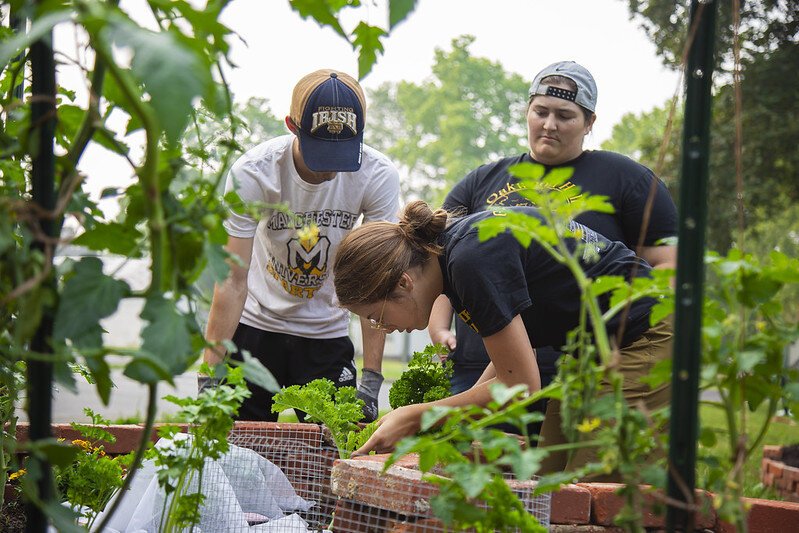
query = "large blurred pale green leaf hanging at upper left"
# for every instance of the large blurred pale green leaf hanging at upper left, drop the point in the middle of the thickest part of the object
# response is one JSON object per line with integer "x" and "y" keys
{"x": 172, "y": 73}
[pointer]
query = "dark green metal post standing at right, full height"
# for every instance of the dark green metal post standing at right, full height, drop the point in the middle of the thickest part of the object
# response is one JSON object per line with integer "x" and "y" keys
{"x": 690, "y": 266}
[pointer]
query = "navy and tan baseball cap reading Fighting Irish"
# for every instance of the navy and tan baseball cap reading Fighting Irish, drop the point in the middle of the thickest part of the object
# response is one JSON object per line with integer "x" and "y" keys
{"x": 328, "y": 108}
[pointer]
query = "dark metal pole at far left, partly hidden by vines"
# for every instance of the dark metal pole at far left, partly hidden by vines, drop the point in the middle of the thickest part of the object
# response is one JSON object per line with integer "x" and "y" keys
{"x": 40, "y": 370}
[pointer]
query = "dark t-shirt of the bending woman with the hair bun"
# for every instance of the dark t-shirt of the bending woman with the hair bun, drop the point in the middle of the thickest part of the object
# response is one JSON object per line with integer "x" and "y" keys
{"x": 491, "y": 282}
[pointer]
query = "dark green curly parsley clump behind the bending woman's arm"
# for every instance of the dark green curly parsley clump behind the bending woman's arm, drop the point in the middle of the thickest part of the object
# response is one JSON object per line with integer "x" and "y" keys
{"x": 425, "y": 379}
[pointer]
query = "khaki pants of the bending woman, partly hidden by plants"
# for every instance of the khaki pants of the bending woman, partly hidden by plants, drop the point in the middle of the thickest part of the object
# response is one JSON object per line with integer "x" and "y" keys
{"x": 636, "y": 361}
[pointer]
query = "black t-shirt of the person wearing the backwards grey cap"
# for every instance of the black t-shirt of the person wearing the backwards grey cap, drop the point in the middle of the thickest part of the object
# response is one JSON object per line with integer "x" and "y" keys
{"x": 625, "y": 183}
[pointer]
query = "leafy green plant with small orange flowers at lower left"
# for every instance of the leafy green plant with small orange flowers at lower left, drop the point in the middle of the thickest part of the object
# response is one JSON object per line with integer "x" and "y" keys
{"x": 93, "y": 476}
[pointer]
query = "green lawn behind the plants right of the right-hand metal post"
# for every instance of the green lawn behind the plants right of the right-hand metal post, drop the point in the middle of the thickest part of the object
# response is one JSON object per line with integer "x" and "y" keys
{"x": 782, "y": 431}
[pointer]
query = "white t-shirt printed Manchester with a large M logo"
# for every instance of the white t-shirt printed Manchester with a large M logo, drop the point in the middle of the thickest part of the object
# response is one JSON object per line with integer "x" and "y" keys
{"x": 290, "y": 285}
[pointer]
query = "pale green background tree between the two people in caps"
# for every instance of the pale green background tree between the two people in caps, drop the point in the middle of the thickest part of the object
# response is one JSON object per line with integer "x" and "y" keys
{"x": 469, "y": 112}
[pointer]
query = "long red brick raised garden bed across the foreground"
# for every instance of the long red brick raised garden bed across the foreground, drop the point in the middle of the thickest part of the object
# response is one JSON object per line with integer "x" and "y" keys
{"x": 578, "y": 508}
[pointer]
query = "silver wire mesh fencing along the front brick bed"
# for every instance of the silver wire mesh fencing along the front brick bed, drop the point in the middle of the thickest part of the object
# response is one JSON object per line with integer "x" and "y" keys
{"x": 341, "y": 495}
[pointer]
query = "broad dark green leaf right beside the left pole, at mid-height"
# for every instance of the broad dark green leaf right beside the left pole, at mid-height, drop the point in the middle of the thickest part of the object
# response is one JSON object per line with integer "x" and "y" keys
{"x": 88, "y": 296}
